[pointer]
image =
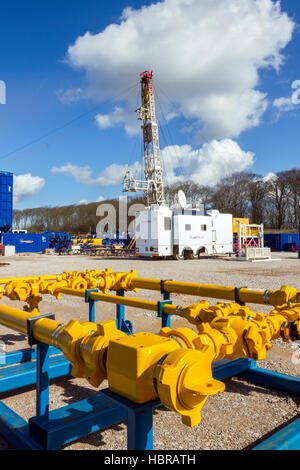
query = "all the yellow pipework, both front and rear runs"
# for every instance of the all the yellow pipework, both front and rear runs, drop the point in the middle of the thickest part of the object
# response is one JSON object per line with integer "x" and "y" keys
{"x": 175, "y": 365}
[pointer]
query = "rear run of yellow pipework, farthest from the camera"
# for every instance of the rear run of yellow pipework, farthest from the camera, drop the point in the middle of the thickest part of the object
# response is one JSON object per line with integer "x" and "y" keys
{"x": 29, "y": 289}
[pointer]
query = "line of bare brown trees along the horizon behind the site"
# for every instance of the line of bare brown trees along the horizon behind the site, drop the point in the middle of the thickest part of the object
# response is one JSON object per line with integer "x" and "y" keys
{"x": 273, "y": 201}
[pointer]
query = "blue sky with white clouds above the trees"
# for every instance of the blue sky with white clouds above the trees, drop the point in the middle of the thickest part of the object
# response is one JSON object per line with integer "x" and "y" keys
{"x": 49, "y": 85}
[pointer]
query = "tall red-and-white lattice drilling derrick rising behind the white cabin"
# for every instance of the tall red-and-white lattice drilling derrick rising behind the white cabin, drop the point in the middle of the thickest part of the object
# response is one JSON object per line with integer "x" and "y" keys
{"x": 152, "y": 186}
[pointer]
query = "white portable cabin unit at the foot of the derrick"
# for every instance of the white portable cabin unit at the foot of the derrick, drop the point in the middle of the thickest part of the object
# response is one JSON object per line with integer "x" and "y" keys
{"x": 184, "y": 233}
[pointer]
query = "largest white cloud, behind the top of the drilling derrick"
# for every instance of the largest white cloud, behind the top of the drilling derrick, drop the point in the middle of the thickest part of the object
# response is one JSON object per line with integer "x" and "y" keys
{"x": 206, "y": 56}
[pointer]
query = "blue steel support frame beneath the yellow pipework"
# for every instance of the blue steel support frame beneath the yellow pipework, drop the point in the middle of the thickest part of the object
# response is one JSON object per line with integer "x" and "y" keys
{"x": 52, "y": 429}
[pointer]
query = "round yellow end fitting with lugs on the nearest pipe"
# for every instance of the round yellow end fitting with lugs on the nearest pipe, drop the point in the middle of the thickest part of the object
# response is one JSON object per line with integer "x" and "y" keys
{"x": 184, "y": 382}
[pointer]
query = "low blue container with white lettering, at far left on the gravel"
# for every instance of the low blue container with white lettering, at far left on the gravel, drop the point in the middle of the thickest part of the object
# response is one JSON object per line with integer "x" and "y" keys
{"x": 26, "y": 242}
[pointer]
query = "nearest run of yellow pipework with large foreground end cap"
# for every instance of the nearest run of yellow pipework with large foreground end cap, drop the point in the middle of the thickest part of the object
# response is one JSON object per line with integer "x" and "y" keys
{"x": 174, "y": 365}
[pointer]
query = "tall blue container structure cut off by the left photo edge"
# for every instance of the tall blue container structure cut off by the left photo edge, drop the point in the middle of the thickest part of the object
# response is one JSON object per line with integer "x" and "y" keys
{"x": 6, "y": 200}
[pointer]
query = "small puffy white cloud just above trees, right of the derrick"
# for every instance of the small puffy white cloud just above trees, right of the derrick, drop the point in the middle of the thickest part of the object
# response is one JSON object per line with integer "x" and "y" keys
{"x": 206, "y": 165}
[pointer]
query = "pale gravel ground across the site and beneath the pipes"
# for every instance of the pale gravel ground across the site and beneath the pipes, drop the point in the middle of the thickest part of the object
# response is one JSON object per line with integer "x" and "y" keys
{"x": 234, "y": 419}
